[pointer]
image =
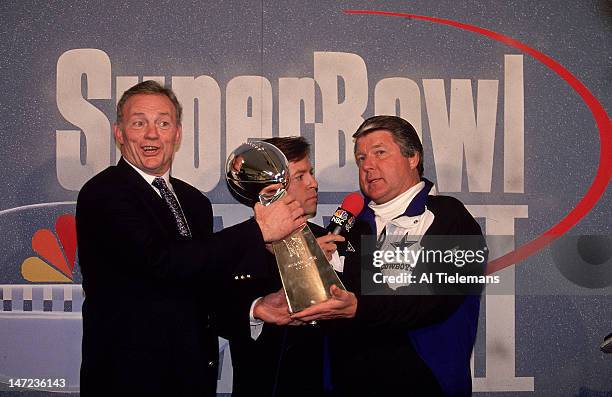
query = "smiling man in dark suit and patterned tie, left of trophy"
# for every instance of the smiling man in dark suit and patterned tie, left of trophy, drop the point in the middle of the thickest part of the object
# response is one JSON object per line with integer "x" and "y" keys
{"x": 150, "y": 262}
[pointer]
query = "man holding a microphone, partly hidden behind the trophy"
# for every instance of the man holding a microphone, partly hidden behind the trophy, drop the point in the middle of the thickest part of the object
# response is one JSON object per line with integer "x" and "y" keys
{"x": 284, "y": 360}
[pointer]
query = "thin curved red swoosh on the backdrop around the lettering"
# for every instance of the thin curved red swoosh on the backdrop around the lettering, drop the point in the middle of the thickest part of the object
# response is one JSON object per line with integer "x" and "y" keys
{"x": 604, "y": 170}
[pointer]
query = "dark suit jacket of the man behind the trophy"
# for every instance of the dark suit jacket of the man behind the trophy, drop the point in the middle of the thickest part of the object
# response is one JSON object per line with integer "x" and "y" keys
{"x": 283, "y": 361}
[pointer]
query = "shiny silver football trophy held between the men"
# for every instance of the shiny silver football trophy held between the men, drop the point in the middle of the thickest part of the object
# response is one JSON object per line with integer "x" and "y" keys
{"x": 305, "y": 272}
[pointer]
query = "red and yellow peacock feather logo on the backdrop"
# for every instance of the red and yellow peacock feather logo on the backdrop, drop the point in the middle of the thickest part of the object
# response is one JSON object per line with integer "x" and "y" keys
{"x": 56, "y": 253}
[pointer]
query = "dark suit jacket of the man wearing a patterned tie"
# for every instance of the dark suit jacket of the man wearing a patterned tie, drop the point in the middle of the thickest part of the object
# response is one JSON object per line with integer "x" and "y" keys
{"x": 148, "y": 318}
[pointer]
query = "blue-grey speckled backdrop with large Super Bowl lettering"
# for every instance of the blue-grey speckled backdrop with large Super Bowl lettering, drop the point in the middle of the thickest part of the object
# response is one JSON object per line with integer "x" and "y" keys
{"x": 502, "y": 131}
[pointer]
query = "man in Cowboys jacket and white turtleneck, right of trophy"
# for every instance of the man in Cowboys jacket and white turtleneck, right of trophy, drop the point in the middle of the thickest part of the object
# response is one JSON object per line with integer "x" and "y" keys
{"x": 390, "y": 337}
